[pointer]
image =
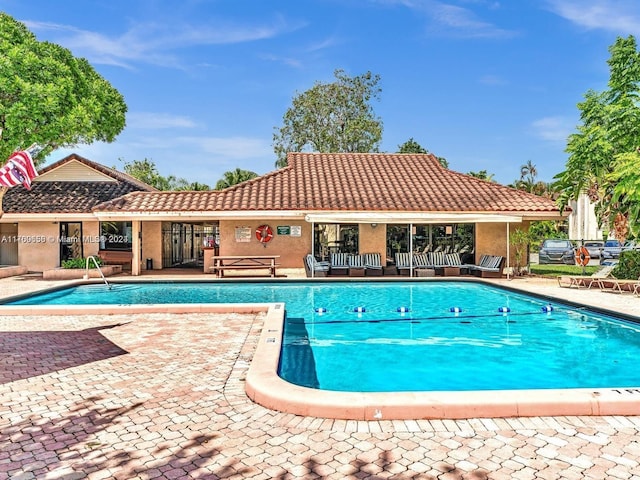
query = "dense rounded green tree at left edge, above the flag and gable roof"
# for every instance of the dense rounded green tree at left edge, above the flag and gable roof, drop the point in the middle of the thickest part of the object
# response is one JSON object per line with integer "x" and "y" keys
{"x": 49, "y": 97}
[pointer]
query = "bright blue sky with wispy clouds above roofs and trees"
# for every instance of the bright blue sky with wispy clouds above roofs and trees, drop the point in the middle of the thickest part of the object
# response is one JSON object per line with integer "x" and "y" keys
{"x": 486, "y": 84}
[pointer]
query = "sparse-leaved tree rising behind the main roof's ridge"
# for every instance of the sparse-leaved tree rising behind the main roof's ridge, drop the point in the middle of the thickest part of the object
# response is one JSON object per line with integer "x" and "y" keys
{"x": 331, "y": 117}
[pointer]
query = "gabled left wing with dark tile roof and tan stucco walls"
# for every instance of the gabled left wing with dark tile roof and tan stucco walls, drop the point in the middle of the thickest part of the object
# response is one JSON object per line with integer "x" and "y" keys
{"x": 54, "y": 221}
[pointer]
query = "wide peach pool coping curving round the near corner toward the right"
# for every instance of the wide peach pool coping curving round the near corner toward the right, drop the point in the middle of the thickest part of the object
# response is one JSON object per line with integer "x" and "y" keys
{"x": 265, "y": 387}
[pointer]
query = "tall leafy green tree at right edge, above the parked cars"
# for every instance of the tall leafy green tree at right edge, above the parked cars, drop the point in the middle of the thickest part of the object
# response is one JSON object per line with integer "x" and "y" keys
{"x": 603, "y": 155}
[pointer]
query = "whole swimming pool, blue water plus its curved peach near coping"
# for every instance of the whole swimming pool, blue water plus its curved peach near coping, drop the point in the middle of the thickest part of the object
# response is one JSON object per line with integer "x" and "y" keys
{"x": 462, "y": 318}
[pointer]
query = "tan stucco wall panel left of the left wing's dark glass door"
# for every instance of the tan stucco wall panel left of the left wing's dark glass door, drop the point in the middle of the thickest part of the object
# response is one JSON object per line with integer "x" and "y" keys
{"x": 40, "y": 249}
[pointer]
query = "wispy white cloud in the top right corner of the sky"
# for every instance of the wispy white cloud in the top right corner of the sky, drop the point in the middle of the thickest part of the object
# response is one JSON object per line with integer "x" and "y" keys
{"x": 621, "y": 16}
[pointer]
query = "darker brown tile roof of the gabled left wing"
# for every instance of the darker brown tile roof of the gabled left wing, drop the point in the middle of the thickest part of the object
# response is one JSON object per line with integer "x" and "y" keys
{"x": 70, "y": 197}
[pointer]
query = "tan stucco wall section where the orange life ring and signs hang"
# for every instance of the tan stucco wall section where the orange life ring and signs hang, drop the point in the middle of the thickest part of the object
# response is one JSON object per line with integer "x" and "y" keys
{"x": 291, "y": 249}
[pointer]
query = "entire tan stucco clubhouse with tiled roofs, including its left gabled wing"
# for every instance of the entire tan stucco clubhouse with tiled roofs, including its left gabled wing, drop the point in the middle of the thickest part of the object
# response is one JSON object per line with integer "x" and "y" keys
{"x": 320, "y": 203}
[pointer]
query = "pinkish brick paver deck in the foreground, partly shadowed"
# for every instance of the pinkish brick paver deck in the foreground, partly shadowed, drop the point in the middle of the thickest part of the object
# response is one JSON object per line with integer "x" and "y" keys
{"x": 162, "y": 396}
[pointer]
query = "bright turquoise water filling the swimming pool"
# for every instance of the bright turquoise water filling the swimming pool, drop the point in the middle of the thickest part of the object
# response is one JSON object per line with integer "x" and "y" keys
{"x": 379, "y": 336}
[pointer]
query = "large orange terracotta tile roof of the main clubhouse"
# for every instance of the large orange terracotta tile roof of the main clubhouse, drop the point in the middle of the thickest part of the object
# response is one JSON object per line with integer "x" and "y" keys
{"x": 378, "y": 182}
